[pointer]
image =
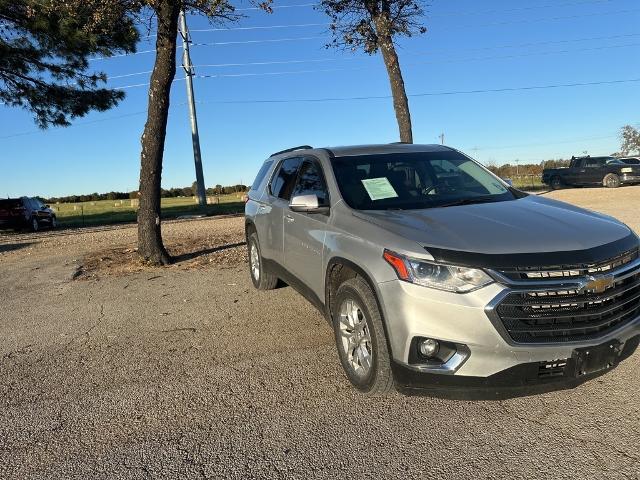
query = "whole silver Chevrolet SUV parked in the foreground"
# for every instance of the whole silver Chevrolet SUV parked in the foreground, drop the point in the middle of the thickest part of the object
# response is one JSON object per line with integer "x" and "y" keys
{"x": 436, "y": 274}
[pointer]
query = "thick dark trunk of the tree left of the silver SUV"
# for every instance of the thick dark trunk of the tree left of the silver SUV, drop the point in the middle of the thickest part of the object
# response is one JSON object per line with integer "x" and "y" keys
{"x": 150, "y": 246}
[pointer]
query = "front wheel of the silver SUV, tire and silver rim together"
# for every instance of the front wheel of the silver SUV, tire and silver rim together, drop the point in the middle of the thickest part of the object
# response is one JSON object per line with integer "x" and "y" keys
{"x": 360, "y": 338}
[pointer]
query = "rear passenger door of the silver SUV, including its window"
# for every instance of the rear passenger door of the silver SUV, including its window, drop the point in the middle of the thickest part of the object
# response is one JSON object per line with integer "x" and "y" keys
{"x": 279, "y": 192}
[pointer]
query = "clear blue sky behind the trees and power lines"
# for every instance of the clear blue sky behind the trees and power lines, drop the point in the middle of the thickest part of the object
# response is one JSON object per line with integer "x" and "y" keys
{"x": 470, "y": 45}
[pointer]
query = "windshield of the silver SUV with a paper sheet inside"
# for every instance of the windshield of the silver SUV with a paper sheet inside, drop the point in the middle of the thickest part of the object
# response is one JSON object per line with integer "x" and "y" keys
{"x": 415, "y": 181}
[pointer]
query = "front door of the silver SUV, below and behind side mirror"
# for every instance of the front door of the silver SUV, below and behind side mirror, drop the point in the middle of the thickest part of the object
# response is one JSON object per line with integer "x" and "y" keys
{"x": 304, "y": 233}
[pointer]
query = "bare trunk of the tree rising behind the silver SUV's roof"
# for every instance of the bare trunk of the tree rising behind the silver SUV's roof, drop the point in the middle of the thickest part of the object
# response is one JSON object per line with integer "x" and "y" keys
{"x": 400, "y": 101}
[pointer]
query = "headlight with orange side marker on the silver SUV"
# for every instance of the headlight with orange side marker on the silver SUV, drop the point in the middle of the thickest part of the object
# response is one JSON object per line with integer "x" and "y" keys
{"x": 437, "y": 275}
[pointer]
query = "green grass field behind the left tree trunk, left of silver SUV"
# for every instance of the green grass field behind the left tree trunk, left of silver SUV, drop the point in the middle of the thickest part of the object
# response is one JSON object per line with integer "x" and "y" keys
{"x": 106, "y": 212}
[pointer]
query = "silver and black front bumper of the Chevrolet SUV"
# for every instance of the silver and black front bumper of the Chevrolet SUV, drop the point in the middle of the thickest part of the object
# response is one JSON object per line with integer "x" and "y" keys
{"x": 492, "y": 362}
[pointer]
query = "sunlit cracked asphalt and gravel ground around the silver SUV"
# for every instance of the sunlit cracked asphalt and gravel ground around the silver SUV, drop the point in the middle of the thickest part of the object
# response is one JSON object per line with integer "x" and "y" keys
{"x": 191, "y": 373}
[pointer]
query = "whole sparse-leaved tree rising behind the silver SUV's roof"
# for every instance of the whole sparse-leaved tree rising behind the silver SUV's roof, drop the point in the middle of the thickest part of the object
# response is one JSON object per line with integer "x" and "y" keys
{"x": 372, "y": 25}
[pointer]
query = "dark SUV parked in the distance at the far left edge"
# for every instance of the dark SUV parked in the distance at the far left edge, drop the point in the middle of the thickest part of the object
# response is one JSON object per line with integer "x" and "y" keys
{"x": 25, "y": 212}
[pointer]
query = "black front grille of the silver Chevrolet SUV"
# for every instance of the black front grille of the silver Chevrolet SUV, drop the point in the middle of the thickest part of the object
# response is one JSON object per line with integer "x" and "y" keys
{"x": 538, "y": 313}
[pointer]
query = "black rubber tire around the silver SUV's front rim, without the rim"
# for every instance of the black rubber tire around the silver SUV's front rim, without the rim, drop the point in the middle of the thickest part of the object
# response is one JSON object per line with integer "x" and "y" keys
{"x": 379, "y": 378}
